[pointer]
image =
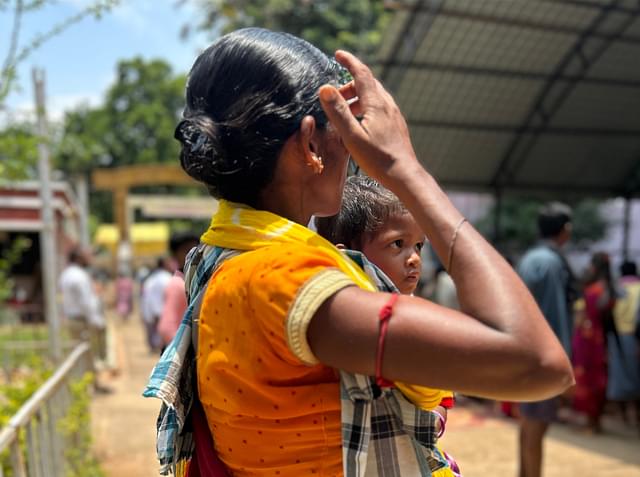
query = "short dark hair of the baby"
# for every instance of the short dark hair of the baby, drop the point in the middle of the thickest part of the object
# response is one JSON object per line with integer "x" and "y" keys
{"x": 366, "y": 207}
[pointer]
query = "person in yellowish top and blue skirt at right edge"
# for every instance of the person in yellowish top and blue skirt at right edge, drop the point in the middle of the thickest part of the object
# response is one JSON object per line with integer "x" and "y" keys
{"x": 624, "y": 353}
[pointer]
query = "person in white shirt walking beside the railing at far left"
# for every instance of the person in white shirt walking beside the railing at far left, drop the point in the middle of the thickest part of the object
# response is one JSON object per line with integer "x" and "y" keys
{"x": 81, "y": 307}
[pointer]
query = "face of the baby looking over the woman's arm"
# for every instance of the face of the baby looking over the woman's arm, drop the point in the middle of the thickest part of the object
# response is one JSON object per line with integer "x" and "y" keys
{"x": 395, "y": 249}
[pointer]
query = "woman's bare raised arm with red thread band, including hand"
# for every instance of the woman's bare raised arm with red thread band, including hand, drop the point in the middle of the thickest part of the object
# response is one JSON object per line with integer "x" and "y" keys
{"x": 499, "y": 346}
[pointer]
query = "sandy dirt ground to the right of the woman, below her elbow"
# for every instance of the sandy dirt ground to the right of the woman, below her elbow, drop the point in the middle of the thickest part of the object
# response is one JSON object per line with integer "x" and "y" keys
{"x": 485, "y": 444}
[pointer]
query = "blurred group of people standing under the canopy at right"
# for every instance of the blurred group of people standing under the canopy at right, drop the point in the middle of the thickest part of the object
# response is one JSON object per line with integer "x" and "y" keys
{"x": 595, "y": 316}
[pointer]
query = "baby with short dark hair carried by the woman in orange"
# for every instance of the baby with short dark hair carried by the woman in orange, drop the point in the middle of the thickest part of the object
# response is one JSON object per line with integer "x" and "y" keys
{"x": 372, "y": 220}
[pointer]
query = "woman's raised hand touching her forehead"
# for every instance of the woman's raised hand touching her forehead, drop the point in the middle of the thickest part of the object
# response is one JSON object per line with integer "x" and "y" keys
{"x": 380, "y": 142}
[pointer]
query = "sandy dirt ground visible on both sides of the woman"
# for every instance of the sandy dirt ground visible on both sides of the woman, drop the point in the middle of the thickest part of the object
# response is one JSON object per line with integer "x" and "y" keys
{"x": 483, "y": 443}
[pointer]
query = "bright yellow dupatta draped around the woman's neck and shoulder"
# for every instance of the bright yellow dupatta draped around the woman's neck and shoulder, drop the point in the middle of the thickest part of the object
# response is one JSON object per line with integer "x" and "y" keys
{"x": 240, "y": 227}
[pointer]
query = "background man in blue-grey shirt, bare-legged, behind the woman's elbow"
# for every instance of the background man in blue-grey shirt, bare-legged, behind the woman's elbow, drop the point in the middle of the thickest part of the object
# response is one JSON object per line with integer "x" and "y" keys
{"x": 547, "y": 274}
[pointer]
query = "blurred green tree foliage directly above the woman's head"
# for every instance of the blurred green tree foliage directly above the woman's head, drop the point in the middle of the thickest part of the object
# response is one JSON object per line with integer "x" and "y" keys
{"x": 356, "y": 25}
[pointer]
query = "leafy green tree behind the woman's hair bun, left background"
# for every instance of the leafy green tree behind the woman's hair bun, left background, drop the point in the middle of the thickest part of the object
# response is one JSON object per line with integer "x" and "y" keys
{"x": 134, "y": 126}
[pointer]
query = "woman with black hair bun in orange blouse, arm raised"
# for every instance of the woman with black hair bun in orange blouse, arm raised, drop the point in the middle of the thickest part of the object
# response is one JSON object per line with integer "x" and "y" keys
{"x": 294, "y": 351}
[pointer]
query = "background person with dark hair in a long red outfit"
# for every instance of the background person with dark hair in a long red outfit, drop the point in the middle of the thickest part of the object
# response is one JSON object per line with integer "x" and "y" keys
{"x": 593, "y": 321}
